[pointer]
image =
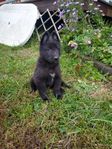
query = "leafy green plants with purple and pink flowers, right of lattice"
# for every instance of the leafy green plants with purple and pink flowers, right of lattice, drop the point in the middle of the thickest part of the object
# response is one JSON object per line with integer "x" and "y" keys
{"x": 88, "y": 31}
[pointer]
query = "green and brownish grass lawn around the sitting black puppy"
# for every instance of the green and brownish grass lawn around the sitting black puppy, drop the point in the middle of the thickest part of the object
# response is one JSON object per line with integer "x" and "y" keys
{"x": 82, "y": 119}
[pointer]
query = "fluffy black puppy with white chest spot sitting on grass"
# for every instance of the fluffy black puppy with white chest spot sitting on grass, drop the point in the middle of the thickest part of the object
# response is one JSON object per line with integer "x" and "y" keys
{"x": 47, "y": 73}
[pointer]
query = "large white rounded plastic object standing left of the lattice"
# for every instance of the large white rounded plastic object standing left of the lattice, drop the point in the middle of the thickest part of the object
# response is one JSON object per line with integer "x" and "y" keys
{"x": 17, "y": 23}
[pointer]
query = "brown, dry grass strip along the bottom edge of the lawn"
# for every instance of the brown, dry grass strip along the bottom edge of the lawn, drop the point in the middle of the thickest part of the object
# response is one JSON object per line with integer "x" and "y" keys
{"x": 33, "y": 138}
